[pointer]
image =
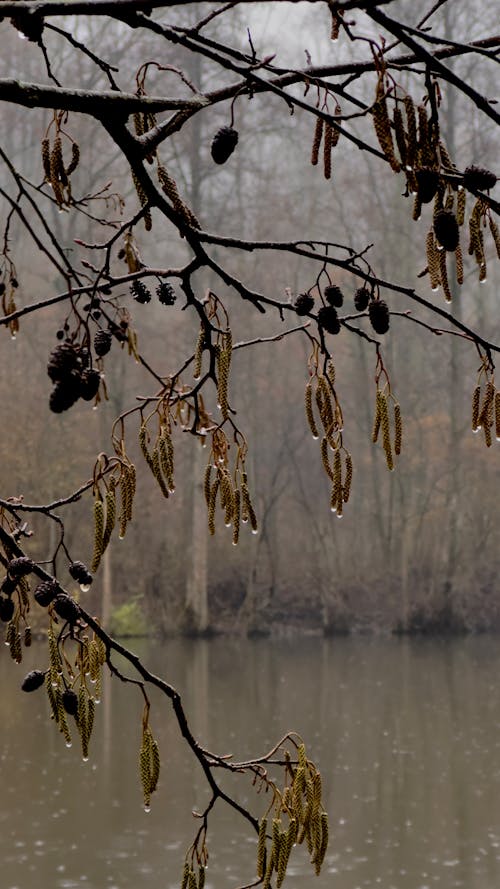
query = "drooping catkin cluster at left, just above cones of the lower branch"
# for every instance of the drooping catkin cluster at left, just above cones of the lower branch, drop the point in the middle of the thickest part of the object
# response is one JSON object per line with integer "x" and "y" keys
{"x": 105, "y": 509}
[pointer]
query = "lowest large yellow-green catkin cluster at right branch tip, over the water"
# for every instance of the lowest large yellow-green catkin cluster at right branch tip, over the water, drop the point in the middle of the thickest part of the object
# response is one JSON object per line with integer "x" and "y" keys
{"x": 299, "y": 817}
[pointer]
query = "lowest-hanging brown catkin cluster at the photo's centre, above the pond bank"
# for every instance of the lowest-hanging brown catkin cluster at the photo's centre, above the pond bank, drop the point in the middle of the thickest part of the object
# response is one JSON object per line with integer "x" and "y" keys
{"x": 230, "y": 492}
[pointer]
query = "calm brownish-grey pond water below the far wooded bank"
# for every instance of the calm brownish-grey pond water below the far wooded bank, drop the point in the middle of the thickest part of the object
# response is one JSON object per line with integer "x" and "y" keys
{"x": 406, "y": 734}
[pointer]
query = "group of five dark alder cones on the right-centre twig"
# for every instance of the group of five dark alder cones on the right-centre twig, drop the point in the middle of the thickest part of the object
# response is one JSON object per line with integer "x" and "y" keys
{"x": 333, "y": 299}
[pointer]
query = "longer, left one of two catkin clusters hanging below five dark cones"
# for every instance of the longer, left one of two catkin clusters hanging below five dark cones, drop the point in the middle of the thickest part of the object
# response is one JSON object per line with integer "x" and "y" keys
{"x": 320, "y": 391}
